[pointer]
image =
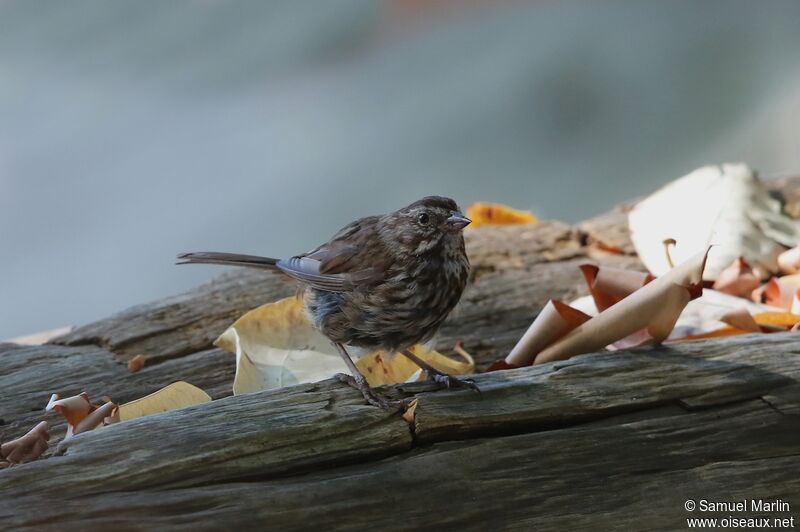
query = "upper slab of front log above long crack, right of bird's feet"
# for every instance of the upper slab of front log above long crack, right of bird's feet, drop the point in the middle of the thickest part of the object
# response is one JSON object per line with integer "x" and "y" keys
{"x": 699, "y": 374}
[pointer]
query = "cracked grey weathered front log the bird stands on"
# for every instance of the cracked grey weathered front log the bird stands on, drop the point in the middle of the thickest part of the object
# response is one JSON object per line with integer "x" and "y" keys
{"x": 315, "y": 456}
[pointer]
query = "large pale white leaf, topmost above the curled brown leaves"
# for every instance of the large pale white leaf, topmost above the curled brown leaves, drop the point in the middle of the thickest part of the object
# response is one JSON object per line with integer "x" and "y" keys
{"x": 722, "y": 205}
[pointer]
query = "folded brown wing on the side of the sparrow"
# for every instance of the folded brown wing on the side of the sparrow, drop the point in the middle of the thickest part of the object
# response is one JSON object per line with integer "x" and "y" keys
{"x": 348, "y": 260}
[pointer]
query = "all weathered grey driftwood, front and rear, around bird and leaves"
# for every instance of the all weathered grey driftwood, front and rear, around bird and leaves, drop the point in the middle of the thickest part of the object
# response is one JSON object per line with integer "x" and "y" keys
{"x": 609, "y": 440}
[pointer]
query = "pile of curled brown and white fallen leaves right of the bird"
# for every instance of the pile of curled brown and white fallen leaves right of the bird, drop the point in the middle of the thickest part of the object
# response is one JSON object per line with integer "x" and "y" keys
{"x": 721, "y": 207}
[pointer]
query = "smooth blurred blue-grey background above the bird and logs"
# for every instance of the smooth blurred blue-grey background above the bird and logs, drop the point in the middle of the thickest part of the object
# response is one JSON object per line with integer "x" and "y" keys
{"x": 130, "y": 131}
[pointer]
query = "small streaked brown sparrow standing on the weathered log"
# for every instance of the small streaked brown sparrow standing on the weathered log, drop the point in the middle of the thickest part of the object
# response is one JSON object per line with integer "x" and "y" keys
{"x": 381, "y": 283}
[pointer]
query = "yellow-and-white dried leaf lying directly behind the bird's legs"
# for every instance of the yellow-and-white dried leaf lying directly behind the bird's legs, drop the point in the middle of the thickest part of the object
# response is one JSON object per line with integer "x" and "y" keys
{"x": 276, "y": 346}
